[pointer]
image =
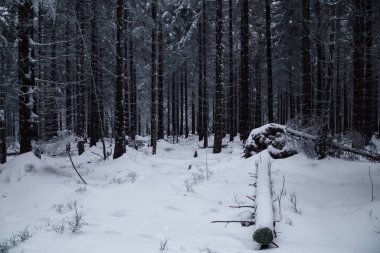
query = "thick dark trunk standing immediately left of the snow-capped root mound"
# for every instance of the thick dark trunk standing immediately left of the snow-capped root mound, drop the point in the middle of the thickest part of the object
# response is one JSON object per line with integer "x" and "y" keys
{"x": 244, "y": 118}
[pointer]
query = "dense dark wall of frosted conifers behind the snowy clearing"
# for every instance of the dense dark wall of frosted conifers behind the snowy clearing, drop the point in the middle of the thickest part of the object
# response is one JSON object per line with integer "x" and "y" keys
{"x": 110, "y": 68}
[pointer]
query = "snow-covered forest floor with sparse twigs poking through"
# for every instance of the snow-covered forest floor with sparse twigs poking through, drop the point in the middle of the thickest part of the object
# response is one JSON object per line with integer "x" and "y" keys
{"x": 137, "y": 202}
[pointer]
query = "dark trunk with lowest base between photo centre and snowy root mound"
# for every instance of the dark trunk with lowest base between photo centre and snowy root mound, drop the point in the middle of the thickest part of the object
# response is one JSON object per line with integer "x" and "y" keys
{"x": 218, "y": 124}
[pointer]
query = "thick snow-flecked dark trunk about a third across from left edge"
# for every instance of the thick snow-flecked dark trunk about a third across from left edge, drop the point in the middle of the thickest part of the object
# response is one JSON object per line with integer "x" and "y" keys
{"x": 119, "y": 106}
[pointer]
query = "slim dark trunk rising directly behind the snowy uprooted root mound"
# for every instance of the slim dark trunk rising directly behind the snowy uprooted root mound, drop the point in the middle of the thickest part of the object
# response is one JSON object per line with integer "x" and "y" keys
{"x": 268, "y": 36}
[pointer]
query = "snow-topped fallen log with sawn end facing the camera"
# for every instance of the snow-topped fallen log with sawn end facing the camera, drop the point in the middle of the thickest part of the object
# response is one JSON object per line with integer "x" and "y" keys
{"x": 264, "y": 215}
